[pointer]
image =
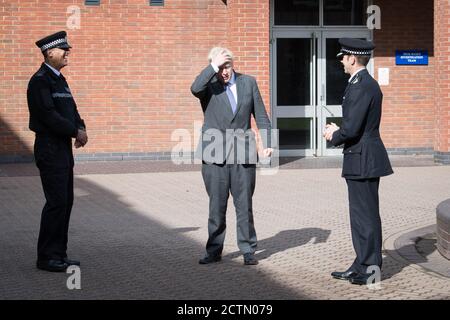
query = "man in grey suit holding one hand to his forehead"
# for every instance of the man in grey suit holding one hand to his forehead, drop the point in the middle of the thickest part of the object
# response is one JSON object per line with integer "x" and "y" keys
{"x": 228, "y": 149}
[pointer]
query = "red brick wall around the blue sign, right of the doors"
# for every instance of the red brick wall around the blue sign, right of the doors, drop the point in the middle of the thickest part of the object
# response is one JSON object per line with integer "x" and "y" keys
{"x": 408, "y": 102}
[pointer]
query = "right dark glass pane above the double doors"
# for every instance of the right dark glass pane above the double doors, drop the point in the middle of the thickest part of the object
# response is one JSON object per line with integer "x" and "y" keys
{"x": 345, "y": 12}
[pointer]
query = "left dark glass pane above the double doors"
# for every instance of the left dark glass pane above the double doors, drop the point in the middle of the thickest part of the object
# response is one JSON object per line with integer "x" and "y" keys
{"x": 297, "y": 12}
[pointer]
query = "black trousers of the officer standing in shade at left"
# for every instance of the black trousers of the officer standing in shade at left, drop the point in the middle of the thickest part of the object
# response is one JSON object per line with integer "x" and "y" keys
{"x": 55, "y": 163}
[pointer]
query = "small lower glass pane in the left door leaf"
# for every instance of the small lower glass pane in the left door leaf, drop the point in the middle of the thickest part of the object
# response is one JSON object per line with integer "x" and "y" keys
{"x": 294, "y": 133}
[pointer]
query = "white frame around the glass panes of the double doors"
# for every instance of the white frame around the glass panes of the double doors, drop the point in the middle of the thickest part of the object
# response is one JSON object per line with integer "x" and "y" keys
{"x": 317, "y": 110}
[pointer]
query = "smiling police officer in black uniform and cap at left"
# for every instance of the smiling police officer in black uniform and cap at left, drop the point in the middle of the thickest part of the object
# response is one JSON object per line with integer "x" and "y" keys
{"x": 55, "y": 120}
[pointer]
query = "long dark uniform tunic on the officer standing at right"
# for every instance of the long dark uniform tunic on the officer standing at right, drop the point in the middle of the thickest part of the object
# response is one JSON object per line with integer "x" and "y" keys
{"x": 364, "y": 153}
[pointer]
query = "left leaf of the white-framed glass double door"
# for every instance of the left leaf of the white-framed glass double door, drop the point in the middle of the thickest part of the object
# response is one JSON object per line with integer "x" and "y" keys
{"x": 295, "y": 67}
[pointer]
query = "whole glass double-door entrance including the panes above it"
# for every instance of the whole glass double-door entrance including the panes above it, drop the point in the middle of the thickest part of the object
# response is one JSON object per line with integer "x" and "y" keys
{"x": 307, "y": 80}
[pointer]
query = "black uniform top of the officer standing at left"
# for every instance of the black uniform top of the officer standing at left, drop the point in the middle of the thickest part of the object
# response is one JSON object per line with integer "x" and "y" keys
{"x": 53, "y": 117}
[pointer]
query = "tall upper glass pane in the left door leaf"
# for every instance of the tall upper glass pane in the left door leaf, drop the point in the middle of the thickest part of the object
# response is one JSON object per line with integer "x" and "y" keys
{"x": 293, "y": 72}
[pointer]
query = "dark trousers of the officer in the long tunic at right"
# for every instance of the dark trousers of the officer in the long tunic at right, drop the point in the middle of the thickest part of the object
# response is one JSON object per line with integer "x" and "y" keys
{"x": 365, "y": 223}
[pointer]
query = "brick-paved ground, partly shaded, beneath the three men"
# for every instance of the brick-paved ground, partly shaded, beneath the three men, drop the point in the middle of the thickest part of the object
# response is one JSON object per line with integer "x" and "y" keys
{"x": 139, "y": 235}
